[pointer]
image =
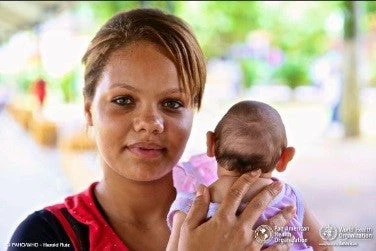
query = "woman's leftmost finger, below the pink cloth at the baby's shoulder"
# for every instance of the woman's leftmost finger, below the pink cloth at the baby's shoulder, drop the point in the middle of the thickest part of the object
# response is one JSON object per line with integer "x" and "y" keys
{"x": 198, "y": 212}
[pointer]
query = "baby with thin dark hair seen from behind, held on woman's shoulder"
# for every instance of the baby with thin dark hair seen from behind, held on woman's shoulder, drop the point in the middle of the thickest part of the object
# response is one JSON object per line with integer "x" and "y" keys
{"x": 252, "y": 136}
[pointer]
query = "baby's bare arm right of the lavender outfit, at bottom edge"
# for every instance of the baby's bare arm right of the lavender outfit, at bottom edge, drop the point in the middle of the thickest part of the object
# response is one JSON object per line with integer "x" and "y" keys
{"x": 313, "y": 234}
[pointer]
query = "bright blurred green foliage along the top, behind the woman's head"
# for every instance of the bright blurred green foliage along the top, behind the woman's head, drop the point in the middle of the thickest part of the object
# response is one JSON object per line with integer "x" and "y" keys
{"x": 296, "y": 27}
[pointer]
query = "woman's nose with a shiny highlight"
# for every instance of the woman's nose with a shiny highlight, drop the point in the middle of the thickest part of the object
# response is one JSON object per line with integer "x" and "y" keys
{"x": 148, "y": 120}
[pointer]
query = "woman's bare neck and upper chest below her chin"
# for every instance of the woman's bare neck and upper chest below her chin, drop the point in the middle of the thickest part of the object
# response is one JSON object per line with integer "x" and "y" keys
{"x": 134, "y": 202}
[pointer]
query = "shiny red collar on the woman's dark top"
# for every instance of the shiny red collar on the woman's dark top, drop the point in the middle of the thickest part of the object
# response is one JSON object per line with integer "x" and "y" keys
{"x": 83, "y": 208}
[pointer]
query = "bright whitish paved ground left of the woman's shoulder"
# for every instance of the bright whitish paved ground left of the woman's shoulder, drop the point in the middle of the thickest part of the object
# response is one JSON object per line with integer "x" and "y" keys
{"x": 30, "y": 177}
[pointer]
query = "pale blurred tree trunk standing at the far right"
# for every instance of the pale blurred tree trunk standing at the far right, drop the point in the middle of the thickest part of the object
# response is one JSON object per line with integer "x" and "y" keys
{"x": 350, "y": 103}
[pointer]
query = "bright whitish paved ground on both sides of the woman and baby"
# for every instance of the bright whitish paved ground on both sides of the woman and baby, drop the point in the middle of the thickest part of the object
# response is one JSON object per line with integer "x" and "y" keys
{"x": 336, "y": 177}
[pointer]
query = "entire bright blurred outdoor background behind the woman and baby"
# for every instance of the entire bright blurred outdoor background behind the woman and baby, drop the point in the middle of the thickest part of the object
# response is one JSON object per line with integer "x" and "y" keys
{"x": 313, "y": 61}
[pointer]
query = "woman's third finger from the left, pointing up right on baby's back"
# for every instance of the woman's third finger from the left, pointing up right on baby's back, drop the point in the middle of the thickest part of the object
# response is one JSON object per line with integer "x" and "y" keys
{"x": 259, "y": 203}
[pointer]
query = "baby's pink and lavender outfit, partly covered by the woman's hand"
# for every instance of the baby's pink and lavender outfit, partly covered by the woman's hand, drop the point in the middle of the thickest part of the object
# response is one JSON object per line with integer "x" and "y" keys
{"x": 201, "y": 169}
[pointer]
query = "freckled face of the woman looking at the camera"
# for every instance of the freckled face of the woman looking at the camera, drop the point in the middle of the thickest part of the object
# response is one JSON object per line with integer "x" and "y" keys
{"x": 141, "y": 118}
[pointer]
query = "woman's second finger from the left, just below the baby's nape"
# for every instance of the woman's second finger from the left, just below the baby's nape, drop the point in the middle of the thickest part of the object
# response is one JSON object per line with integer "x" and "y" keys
{"x": 232, "y": 200}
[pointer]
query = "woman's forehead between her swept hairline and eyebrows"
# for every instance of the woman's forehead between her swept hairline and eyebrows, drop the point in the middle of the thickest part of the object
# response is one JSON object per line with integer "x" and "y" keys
{"x": 141, "y": 65}
